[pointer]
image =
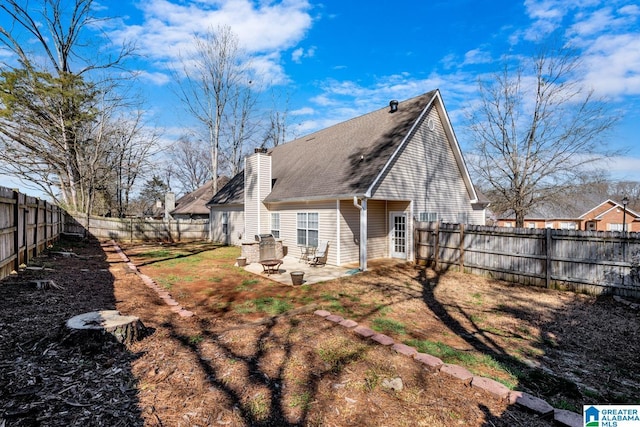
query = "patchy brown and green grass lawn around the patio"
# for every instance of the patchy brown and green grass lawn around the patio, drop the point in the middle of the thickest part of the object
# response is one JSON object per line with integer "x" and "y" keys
{"x": 529, "y": 339}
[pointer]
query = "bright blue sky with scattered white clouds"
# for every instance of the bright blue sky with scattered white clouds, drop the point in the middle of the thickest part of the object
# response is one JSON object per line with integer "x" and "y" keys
{"x": 339, "y": 59}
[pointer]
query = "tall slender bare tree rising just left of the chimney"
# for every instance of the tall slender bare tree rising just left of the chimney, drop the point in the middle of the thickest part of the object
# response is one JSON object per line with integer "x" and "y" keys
{"x": 213, "y": 76}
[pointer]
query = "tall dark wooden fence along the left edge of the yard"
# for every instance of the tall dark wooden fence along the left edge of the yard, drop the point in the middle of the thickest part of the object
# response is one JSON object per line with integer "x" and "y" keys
{"x": 27, "y": 226}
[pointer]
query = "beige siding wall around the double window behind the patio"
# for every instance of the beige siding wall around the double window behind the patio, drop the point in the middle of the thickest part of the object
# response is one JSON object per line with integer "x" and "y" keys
{"x": 327, "y": 220}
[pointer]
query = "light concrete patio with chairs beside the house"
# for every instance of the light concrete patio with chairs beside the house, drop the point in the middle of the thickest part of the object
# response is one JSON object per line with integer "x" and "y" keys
{"x": 312, "y": 274}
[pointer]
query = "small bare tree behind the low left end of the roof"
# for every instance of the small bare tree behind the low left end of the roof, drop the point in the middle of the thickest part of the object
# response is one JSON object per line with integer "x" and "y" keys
{"x": 189, "y": 164}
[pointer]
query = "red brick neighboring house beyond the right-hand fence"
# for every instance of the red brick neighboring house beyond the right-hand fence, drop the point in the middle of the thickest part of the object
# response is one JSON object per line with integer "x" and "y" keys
{"x": 607, "y": 216}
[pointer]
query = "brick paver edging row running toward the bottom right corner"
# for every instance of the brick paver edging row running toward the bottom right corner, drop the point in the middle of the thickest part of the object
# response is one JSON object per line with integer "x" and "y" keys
{"x": 497, "y": 390}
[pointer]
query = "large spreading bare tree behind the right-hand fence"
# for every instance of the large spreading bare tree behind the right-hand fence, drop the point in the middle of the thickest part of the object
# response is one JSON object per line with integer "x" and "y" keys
{"x": 536, "y": 134}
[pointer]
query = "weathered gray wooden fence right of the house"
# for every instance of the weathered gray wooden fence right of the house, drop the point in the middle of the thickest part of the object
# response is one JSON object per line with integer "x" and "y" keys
{"x": 585, "y": 261}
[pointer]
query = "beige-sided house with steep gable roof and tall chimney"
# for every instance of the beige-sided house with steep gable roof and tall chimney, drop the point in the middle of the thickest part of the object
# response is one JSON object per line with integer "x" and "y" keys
{"x": 359, "y": 184}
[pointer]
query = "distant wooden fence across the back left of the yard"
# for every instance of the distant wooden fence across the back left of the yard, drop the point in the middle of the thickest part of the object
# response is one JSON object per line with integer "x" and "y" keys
{"x": 137, "y": 229}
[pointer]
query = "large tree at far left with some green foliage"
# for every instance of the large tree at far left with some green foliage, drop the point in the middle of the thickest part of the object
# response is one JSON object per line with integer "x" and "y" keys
{"x": 48, "y": 108}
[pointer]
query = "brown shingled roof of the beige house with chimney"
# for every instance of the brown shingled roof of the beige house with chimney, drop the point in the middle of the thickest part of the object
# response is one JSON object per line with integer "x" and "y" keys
{"x": 340, "y": 161}
